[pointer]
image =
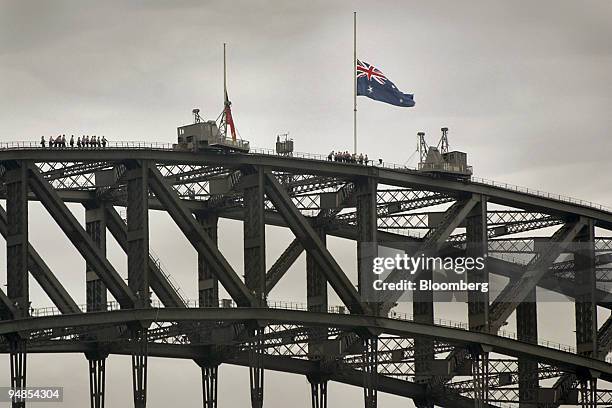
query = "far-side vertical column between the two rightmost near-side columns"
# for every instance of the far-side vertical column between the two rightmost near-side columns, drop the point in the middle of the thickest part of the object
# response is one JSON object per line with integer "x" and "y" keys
{"x": 527, "y": 331}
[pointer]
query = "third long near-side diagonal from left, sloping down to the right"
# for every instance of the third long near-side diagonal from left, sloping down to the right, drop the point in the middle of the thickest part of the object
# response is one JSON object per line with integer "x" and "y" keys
{"x": 313, "y": 245}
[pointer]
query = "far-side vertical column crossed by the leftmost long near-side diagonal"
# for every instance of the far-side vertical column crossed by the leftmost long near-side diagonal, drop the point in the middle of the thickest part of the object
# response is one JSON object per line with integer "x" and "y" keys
{"x": 95, "y": 224}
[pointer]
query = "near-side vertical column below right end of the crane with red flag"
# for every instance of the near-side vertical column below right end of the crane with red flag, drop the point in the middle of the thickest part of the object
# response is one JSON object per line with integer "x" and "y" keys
{"x": 255, "y": 272}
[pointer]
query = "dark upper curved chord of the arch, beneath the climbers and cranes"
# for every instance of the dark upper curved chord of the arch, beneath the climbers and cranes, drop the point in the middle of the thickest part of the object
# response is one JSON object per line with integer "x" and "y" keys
{"x": 401, "y": 178}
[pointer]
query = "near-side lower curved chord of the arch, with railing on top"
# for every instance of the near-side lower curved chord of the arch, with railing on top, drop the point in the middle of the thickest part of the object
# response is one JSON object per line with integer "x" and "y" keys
{"x": 565, "y": 361}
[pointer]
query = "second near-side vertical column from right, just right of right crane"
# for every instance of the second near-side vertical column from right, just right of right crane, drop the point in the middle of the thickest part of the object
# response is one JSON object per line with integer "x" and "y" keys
{"x": 477, "y": 247}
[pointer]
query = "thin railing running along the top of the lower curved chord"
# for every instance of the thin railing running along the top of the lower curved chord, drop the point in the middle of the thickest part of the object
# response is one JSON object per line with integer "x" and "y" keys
{"x": 299, "y": 306}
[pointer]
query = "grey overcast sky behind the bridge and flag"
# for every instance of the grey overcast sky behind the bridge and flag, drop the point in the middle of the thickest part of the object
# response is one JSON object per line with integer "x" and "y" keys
{"x": 525, "y": 88}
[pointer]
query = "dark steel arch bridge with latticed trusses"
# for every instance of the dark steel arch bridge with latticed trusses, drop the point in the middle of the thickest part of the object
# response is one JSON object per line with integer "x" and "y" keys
{"x": 366, "y": 344}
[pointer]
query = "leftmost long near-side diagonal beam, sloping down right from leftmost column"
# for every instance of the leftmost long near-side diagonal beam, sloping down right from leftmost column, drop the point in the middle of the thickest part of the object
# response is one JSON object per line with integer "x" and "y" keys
{"x": 80, "y": 239}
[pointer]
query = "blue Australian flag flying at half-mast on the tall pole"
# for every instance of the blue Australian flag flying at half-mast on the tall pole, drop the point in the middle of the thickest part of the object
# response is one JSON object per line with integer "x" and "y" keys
{"x": 371, "y": 82}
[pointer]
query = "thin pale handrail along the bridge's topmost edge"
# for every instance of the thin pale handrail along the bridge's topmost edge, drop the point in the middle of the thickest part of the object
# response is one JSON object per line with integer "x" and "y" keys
{"x": 141, "y": 145}
